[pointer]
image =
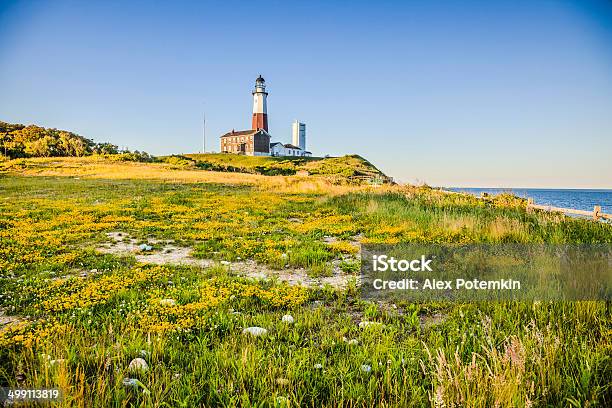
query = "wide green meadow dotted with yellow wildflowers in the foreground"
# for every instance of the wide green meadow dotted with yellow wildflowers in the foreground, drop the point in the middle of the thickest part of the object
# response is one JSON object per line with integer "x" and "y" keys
{"x": 76, "y": 318}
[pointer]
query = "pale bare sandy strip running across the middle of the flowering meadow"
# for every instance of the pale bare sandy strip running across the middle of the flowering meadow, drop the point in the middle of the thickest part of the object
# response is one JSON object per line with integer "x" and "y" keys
{"x": 169, "y": 254}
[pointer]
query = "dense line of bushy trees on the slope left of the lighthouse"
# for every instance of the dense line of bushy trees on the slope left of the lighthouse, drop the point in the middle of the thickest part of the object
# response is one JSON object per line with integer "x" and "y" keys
{"x": 18, "y": 141}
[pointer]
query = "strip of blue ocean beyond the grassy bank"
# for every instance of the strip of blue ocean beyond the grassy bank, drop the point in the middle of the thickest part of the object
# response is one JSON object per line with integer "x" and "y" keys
{"x": 567, "y": 198}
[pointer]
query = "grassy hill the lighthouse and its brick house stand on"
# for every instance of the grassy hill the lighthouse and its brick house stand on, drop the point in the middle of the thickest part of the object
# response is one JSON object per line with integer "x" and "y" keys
{"x": 351, "y": 166}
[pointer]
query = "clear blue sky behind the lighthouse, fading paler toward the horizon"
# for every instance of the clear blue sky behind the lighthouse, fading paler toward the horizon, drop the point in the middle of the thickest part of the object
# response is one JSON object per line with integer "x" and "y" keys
{"x": 482, "y": 93}
